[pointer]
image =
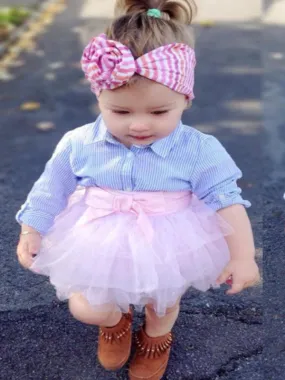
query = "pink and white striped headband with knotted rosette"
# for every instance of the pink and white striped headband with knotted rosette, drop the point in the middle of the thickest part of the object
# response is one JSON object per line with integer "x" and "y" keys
{"x": 108, "y": 64}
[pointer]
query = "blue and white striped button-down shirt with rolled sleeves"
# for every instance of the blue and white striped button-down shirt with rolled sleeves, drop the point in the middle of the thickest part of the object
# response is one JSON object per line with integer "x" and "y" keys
{"x": 89, "y": 156}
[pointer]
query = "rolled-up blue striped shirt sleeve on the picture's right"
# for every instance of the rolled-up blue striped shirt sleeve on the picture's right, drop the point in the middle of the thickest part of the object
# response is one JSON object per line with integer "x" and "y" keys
{"x": 215, "y": 176}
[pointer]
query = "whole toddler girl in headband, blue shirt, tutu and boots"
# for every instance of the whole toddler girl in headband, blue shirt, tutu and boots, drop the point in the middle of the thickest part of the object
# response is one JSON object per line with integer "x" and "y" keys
{"x": 135, "y": 208}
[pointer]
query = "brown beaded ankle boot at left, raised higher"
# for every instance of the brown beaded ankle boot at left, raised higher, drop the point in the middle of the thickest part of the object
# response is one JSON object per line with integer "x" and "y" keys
{"x": 114, "y": 344}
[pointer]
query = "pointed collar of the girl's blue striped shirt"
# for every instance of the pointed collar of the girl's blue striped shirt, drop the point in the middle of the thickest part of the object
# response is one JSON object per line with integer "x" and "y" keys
{"x": 161, "y": 147}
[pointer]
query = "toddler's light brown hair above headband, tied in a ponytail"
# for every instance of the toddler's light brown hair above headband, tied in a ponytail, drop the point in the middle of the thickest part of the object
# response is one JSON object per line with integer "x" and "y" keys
{"x": 142, "y": 33}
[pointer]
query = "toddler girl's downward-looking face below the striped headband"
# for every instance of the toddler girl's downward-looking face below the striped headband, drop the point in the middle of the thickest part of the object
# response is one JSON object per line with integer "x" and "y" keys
{"x": 141, "y": 113}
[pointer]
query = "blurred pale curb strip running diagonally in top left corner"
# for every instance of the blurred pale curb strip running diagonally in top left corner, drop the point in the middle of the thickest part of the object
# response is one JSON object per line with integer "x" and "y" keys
{"x": 16, "y": 34}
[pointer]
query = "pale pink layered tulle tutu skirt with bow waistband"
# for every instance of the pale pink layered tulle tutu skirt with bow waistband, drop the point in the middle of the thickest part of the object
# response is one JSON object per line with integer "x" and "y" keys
{"x": 137, "y": 248}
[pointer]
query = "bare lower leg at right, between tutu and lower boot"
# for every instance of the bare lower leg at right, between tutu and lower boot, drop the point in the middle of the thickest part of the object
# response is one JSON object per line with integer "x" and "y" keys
{"x": 159, "y": 326}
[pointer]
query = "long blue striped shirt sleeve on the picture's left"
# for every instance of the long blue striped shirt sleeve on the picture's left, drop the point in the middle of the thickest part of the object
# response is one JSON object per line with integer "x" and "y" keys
{"x": 50, "y": 193}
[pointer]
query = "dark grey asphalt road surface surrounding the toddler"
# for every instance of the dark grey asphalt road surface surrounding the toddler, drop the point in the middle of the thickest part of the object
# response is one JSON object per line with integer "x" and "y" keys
{"x": 217, "y": 337}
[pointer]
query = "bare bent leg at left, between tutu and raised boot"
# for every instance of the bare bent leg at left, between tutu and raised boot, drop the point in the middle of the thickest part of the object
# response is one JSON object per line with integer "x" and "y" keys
{"x": 106, "y": 315}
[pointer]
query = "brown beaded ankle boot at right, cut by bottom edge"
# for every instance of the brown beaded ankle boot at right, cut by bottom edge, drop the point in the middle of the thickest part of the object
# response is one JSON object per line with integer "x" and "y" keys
{"x": 151, "y": 357}
